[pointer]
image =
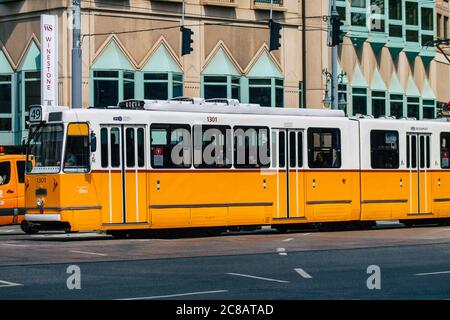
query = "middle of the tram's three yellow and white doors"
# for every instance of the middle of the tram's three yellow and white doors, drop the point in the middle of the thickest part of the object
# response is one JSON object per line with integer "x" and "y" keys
{"x": 290, "y": 176}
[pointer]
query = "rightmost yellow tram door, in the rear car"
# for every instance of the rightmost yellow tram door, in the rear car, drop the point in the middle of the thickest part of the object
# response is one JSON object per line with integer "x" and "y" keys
{"x": 418, "y": 162}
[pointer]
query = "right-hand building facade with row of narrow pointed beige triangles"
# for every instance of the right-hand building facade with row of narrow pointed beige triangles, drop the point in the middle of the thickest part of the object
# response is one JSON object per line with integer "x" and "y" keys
{"x": 389, "y": 60}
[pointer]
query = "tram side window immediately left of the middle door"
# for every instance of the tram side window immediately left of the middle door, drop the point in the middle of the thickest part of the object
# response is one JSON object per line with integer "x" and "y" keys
{"x": 251, "y": 147}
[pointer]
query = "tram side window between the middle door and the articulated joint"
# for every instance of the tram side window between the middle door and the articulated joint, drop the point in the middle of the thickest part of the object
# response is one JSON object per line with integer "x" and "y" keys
{"x": 324, "y": 148}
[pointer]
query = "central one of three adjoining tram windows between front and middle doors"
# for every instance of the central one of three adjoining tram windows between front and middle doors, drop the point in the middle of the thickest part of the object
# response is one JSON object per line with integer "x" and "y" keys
{"x": 212, "y": 147}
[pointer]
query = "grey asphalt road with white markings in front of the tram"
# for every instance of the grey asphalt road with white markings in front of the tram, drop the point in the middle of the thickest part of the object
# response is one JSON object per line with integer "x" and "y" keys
{"x": 413, "y": 263}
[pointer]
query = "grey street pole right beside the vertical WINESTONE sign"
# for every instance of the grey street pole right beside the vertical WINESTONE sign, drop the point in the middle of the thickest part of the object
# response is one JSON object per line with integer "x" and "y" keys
{"x": 77, "y": 76}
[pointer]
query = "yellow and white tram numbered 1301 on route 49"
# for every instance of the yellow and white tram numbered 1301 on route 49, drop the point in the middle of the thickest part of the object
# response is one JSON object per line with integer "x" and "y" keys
{"x": 191, "y": 163}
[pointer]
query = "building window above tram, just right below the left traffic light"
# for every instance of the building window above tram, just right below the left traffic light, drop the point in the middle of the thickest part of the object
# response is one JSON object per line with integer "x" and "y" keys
{"x": 227, "y": 87}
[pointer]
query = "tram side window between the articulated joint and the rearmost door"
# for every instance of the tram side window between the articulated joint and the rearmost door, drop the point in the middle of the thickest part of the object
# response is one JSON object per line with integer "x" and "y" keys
{"x": 384, "y": 151}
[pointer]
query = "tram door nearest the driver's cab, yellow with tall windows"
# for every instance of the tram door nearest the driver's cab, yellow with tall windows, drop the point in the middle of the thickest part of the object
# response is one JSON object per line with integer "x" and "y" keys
{"x": 127, "y": 174}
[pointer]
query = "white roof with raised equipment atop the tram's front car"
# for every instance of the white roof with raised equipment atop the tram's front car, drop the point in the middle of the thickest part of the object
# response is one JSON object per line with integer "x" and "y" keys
{"x": 221, "y": 106}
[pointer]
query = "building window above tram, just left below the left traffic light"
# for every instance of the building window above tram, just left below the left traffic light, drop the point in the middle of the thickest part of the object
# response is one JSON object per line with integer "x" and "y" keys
{"x": 163, "y": 86}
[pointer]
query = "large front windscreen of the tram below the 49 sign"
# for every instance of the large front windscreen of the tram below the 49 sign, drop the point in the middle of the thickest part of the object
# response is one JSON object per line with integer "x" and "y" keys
{"x": 46, "y": 147}
